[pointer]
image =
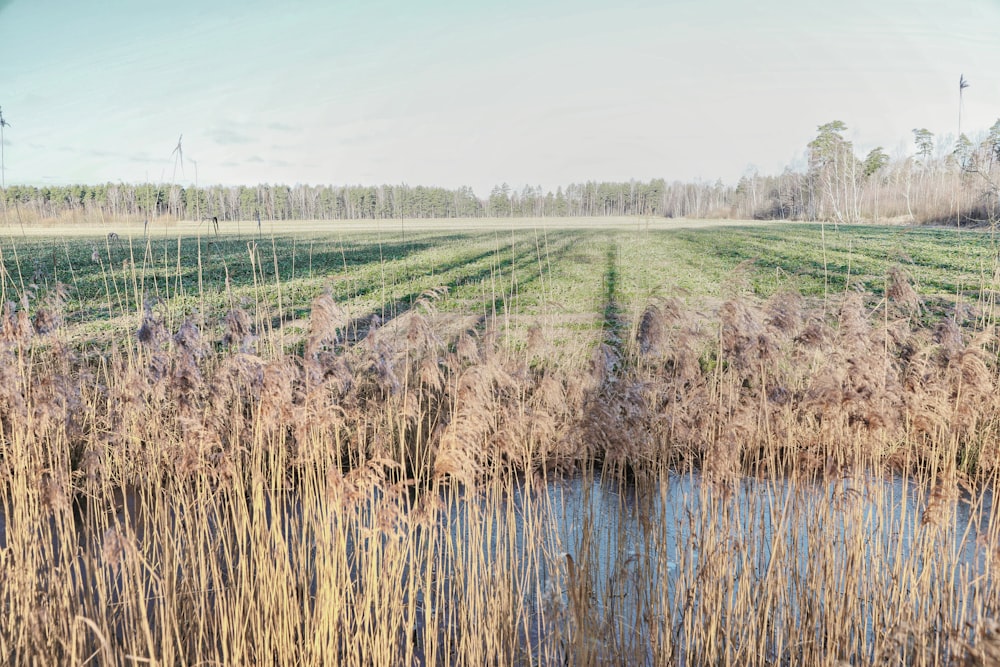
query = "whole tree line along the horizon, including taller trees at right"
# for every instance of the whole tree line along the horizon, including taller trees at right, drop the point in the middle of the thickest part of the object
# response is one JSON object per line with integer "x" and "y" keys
{"x": 940, "y": 181}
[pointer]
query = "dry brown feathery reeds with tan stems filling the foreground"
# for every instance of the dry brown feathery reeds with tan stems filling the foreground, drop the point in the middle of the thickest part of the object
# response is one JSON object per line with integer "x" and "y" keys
{"x": 205, "y": 494}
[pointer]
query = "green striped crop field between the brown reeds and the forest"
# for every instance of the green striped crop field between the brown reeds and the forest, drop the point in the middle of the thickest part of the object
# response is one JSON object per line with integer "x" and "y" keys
{"x": 521, "y": 271}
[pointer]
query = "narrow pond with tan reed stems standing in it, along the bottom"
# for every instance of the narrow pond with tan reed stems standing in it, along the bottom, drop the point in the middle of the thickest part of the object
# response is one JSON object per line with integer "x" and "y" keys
{"x": 673, "y": 568}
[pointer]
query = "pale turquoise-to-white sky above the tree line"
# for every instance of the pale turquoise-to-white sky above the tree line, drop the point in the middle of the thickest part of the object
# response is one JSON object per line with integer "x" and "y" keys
{"x": 451, "y": 93}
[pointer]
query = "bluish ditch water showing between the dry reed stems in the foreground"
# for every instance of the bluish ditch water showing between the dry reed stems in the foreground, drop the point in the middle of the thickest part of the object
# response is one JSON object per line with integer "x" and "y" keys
{"x": 619, "y": 563}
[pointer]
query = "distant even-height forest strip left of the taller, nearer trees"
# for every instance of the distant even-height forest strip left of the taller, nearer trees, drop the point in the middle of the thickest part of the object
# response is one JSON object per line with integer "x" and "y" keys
{"x": 360, "y": 202}
